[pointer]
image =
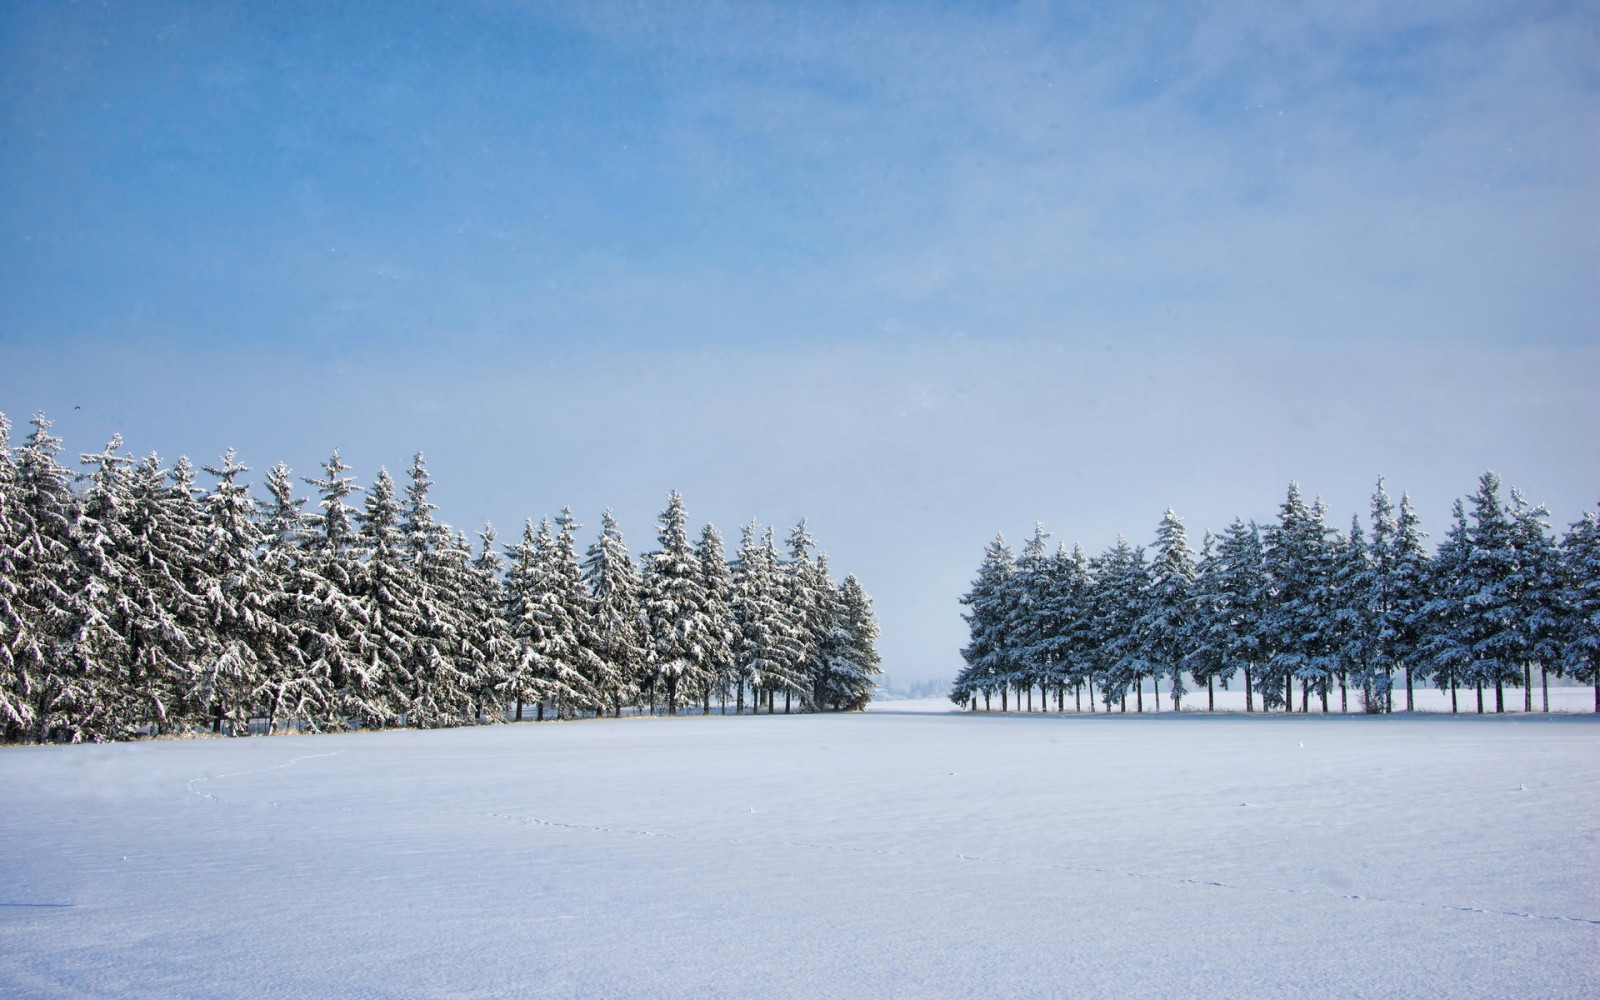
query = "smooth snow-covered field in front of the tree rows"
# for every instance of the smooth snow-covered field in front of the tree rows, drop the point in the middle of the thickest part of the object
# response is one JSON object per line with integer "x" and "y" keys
{"x": 895, "y": 854}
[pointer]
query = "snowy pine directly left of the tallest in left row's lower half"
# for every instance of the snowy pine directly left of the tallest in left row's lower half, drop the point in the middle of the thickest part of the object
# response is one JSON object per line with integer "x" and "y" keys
{"x": 617, "y": 633}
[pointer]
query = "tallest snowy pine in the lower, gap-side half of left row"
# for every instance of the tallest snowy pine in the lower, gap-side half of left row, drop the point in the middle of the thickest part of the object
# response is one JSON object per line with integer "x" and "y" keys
{"x": 673, "y": 607}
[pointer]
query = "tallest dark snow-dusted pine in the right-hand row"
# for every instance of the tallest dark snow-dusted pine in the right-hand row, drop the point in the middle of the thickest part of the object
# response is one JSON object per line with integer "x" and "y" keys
{"x": 1492, "y": 604}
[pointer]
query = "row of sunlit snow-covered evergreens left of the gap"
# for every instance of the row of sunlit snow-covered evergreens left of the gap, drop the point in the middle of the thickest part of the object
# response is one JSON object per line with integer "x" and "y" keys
{"x": 135, "y": 602}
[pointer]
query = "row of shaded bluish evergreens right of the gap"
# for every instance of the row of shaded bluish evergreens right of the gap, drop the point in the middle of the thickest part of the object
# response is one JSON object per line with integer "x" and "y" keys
{"x": 1295, "y": 602}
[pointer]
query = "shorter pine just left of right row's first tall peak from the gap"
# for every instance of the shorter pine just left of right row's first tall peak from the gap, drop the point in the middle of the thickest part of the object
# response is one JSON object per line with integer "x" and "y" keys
{"x": 1122, "y": 585}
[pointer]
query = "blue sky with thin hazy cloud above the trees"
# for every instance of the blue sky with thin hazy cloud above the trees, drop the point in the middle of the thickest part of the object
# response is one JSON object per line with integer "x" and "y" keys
{"x": 918, "y": 271}
